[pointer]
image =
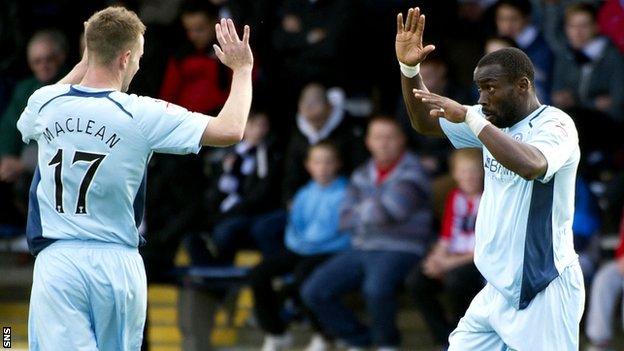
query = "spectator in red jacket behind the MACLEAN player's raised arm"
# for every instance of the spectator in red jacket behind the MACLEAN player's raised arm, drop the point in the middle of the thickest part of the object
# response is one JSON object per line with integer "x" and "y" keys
{"x": 194, "y": 78}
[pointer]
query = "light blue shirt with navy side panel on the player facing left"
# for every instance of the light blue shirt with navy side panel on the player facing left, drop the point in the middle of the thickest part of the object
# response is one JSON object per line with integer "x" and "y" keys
{"x": 524, "y": 228}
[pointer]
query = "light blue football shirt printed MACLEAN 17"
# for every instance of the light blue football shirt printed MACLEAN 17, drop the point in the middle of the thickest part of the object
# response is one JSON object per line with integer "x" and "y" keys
{"x": 93, "y": 150}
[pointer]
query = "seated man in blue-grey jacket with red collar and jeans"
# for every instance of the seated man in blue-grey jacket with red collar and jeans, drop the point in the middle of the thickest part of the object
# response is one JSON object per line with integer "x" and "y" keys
{"x": 387, "y": 208}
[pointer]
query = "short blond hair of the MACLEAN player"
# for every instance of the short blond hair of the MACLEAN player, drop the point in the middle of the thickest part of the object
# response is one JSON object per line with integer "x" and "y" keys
{"x": 110, "y": 32}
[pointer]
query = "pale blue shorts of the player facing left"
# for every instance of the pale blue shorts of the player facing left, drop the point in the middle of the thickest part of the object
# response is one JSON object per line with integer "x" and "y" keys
{"x": 549, "y": 323}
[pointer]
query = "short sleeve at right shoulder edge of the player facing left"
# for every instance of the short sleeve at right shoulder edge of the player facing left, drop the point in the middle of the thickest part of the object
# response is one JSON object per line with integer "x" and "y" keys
{"x": 557, "y": 139}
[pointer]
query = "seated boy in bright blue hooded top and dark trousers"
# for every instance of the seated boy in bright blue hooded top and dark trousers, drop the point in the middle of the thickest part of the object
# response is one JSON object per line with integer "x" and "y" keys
{"x": 312, "y": 236}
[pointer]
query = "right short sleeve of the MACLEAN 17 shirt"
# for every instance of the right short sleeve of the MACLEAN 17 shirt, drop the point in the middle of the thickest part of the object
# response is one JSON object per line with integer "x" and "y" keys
{"x": 170, "y": 128}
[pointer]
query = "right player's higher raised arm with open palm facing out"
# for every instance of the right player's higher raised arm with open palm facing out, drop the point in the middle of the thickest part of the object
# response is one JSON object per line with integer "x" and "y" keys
{"x": 410, "y": 52}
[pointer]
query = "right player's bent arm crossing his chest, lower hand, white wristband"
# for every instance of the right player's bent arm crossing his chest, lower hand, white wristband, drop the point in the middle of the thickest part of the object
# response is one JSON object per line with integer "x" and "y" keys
{"x": 521, "y": 158}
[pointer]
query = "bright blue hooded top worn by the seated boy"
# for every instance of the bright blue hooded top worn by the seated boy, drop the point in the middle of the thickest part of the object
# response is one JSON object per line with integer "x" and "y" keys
{"x": 313, "y": 221}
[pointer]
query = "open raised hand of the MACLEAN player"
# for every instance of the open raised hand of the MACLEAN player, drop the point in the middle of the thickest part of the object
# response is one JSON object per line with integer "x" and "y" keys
{"x": 232, "y": 51}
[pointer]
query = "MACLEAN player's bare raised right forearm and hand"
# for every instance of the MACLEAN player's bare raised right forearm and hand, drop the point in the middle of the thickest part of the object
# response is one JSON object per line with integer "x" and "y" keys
{"x": 229, "y": 126}
